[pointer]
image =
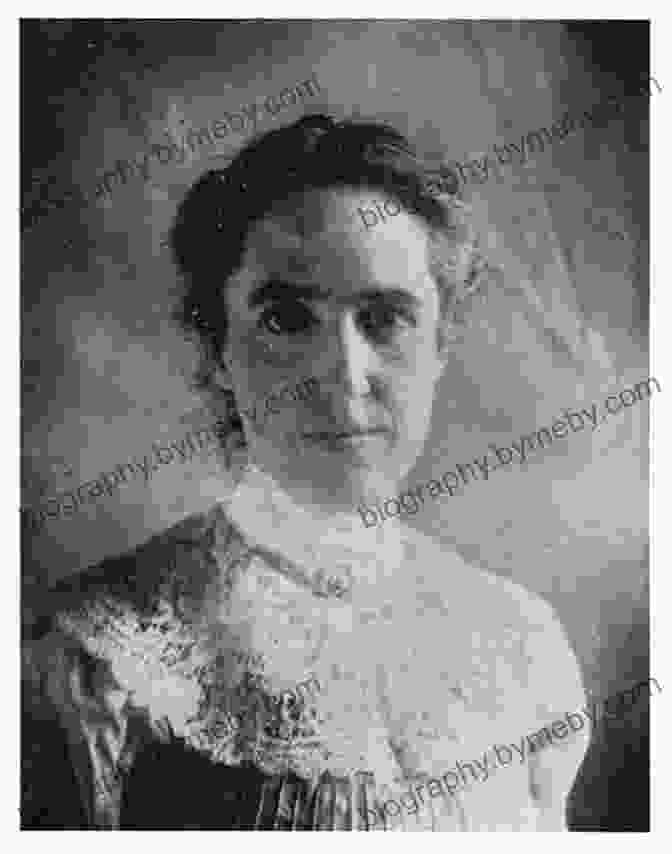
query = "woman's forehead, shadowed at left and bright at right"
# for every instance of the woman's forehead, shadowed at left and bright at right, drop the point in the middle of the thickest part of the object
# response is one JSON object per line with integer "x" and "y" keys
{"x": 320, "y": 238}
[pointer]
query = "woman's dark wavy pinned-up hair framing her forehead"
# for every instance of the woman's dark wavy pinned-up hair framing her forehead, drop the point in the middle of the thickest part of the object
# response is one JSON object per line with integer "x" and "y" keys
{"x": 213, "y": 220}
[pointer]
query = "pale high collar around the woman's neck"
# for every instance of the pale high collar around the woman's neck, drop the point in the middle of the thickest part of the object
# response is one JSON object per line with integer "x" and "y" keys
{"x": 339, "y": 545}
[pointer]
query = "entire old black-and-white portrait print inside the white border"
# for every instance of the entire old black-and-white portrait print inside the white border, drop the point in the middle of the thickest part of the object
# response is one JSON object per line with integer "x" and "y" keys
{"x": 335, "y": 400}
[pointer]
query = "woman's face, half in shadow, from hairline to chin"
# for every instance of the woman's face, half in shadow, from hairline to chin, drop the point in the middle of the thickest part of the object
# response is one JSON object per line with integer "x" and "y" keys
{"x": 319, "y": 296}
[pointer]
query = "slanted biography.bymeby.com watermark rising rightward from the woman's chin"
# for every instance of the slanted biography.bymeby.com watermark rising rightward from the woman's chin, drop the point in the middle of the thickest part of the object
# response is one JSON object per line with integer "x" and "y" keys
{"x": 409, "y": 502}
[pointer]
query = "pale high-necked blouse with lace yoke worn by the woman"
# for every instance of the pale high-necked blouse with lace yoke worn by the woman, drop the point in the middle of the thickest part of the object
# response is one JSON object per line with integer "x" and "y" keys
{"x": 258, "y": 636}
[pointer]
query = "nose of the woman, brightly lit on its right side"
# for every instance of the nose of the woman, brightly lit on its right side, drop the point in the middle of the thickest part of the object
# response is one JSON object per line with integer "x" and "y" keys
{"x": 354, "y": 362}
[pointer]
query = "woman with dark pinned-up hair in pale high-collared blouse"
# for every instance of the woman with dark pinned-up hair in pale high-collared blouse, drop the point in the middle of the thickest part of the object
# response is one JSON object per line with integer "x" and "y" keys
{"x": 276, "y": 664}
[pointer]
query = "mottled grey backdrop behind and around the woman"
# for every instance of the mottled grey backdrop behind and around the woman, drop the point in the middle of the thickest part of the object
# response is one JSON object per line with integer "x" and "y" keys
{"x": 106, "y": 373}
